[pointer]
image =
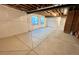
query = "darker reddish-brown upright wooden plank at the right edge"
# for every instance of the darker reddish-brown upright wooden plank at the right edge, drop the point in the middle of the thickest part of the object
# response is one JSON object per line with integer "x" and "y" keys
{"x": 75, "y": 25}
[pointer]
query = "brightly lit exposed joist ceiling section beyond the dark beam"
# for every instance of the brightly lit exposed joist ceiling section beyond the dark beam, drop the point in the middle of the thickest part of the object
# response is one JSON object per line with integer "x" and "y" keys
{"x": 53, "y": 12}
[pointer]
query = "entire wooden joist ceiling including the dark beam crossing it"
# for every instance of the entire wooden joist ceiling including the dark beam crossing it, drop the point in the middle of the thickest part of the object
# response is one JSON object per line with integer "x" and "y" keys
{"x": 48, "y": 9}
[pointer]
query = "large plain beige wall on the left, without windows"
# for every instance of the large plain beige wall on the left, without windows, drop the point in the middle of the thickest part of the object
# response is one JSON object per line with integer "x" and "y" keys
{"x": 12, "y": 21}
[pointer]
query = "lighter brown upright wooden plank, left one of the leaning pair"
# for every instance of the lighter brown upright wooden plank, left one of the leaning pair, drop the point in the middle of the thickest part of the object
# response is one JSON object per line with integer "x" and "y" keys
{"x": 69, "y": 20}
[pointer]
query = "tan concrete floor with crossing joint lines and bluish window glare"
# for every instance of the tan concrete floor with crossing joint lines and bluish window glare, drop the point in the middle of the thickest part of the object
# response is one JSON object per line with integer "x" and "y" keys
{"x": 44, "y": 41}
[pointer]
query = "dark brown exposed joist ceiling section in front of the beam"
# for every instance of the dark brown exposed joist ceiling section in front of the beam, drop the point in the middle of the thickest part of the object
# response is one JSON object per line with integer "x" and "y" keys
{"x": 28, "y": 7}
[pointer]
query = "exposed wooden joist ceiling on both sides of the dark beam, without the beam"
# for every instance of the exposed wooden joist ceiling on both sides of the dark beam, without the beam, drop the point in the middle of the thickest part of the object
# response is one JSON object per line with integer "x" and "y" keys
{"x": 31, "y": 7}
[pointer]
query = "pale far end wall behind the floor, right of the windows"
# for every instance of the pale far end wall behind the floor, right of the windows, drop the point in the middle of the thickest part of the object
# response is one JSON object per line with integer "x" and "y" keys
{"x": 56, "y": 22}
